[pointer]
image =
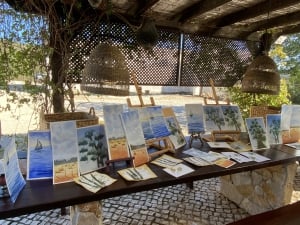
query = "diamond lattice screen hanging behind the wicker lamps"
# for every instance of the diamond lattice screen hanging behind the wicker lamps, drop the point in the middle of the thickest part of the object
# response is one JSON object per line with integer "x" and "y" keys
{"x": 203, "y": 57}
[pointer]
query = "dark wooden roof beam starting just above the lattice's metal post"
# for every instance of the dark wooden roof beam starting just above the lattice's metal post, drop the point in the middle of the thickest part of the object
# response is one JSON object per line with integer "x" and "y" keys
{"x": 198, "y": 9}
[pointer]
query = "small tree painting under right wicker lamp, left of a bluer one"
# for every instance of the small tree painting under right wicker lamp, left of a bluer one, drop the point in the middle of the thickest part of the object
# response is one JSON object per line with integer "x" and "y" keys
{"x": 257, "y": 133}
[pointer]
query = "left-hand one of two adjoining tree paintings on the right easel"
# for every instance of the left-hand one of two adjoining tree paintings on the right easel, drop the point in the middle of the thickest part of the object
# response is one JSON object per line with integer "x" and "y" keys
{"x": 213, "y": 117}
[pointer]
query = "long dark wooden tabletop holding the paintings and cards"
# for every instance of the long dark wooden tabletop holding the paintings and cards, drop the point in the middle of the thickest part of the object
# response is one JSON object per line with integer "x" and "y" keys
{"x": 40, "y": 195}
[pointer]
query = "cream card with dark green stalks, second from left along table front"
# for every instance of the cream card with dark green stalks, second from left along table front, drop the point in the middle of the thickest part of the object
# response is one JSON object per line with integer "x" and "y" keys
{"x": 137, "y": 173}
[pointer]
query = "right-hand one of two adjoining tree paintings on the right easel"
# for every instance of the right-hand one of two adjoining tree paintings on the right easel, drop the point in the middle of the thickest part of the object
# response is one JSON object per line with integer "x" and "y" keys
{"x": 233, "y": 118}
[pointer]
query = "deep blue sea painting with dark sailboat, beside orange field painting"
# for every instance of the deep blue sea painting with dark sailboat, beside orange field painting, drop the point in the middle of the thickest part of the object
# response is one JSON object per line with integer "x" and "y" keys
{"x": 39, "y": 155}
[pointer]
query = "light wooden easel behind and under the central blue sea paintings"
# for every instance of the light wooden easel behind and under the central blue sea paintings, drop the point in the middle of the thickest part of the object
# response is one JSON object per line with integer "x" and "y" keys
{"x": 156, "y": 142}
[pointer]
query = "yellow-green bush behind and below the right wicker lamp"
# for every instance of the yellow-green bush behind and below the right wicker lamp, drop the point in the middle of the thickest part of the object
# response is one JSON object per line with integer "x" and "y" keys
{"x": 246, "y": 100}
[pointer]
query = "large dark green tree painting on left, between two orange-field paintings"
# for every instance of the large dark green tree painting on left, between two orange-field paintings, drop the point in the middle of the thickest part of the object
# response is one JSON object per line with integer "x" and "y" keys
{"x": 92, "y": 145}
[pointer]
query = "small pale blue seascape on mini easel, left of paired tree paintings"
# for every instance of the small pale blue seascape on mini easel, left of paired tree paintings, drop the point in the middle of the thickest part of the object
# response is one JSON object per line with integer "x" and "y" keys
{"x": 195, "y": 118}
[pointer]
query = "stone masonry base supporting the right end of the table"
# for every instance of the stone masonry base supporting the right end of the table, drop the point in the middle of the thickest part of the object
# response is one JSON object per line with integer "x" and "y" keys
{"x": 260, "y": 190}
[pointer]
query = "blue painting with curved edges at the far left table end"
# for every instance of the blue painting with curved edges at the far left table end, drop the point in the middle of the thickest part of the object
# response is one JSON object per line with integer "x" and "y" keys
{"x": 15, "y": 181}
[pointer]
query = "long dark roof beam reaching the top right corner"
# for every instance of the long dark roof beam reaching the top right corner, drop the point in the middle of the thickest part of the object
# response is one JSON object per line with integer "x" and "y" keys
{"x": 259, "y": 9}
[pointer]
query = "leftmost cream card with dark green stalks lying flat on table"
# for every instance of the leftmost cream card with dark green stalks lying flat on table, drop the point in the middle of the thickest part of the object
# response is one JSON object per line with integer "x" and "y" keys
{"x": 94, "y": 181}
